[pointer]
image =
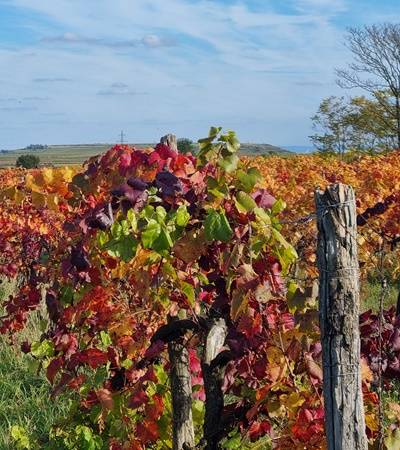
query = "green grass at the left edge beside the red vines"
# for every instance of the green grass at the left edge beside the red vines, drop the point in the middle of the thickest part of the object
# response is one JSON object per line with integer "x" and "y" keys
{"x": 24, "y": 394}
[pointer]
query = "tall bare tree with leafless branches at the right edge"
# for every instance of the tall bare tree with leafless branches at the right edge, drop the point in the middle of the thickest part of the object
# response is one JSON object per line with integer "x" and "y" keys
{"x": 376, "y": 66}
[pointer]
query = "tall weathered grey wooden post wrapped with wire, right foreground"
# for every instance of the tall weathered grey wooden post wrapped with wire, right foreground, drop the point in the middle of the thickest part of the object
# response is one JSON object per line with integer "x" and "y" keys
{"x": 339, "y": 312}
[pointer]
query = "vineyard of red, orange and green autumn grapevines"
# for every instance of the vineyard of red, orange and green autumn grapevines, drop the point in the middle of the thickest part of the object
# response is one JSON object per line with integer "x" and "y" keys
{"x": 176, "y": 296}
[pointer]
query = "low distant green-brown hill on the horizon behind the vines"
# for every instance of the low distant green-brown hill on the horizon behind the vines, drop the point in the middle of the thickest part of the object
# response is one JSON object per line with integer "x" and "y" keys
{"x": 60, "y": 155}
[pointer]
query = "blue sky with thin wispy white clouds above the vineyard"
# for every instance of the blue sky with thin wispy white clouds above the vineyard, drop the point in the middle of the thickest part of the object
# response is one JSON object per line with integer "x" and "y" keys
{"x": 80, "y": 71}
